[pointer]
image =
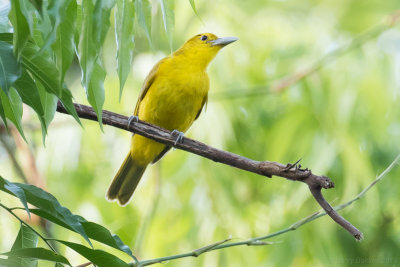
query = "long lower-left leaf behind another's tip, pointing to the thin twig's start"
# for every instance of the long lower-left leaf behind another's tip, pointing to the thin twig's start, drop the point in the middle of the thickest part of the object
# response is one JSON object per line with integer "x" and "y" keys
{"x": 93, "y": 230}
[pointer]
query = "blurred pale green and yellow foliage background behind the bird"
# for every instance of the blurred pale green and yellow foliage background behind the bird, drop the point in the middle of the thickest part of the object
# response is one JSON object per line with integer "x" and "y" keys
{"x": 342, "y": 119}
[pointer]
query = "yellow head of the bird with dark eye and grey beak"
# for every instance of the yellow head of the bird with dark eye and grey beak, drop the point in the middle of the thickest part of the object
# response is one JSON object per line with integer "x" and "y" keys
{"x": 202, "y": 48}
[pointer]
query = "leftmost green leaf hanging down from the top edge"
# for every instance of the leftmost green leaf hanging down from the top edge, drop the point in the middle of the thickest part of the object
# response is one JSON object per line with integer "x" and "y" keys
{"x": 20, "y": 27}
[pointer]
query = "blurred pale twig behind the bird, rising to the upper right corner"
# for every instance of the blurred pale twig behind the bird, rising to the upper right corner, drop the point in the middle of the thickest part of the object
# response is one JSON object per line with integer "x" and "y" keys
{"x": 291, "y": 79}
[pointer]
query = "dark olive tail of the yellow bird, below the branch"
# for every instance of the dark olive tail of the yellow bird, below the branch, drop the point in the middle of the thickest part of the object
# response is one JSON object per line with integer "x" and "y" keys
{"x": 126, "y": 180}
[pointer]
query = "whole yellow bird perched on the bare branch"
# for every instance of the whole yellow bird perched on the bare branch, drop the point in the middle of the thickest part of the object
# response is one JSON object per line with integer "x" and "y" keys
{"x": 172, "y": 97}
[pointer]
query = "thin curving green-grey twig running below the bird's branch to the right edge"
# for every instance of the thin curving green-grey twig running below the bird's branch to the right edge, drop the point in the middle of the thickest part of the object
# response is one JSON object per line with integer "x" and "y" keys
{"x": 294, "y": 226}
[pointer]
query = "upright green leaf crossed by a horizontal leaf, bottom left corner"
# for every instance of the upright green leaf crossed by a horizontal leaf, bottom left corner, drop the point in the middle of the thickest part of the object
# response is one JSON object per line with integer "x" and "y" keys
{"x": 26, "y": 238}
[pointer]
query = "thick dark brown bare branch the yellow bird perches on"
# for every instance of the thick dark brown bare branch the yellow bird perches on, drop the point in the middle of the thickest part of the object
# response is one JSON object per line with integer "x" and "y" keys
{"x": 265, "y": 168}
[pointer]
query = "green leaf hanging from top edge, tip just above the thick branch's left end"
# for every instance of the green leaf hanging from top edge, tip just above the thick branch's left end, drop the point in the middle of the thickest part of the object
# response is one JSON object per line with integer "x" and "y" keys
{"x": 64, "y": 47}
